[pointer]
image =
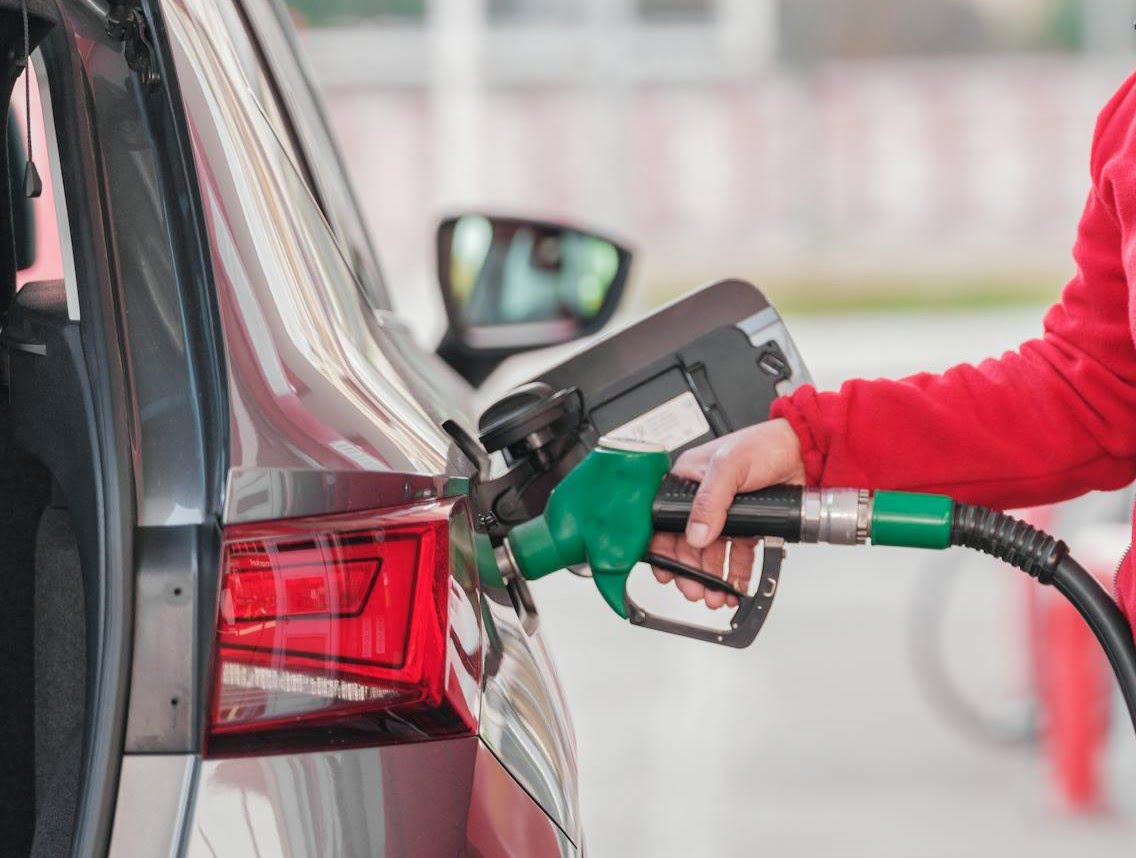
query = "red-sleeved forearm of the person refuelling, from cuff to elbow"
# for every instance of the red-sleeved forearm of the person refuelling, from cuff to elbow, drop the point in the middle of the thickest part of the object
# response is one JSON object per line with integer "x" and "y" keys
{"x": 1003, "y": 435}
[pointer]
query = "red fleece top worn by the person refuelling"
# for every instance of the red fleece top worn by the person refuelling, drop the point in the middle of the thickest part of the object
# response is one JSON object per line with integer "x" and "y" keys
{"x": 1046, "y": 423}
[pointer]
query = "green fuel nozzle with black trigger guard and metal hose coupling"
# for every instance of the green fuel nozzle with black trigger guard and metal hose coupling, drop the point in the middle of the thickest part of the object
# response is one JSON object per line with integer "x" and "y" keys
{"x": 605, "y": 511}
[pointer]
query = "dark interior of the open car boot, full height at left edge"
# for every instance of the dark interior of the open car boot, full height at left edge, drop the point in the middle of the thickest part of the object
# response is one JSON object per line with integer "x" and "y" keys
{"x": 46, "y": 472}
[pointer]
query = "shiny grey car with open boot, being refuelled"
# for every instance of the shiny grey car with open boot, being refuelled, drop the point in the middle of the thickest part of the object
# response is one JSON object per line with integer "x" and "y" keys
{"x": 244, "y": 615}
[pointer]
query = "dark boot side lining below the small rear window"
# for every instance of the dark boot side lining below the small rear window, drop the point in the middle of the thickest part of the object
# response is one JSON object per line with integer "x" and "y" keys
{"x": 45, "y": 439}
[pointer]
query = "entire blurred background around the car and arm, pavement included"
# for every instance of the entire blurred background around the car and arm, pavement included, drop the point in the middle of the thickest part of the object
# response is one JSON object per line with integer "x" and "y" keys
{"x": 904, "y": 180}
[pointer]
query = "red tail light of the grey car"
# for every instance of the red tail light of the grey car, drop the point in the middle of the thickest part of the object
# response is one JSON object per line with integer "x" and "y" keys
{"x": 357, "y": 629}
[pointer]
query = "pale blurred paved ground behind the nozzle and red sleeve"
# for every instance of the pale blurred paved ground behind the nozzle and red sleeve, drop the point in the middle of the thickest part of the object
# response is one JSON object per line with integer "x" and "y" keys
{"x": 817, "y": 742}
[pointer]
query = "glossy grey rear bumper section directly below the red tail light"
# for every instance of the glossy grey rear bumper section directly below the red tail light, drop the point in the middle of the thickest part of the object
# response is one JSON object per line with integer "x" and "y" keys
{"x": 437, "y": 799}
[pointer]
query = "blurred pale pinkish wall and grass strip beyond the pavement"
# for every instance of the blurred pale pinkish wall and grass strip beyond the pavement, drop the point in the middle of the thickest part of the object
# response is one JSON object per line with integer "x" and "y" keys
{"x": 851, "y": 153}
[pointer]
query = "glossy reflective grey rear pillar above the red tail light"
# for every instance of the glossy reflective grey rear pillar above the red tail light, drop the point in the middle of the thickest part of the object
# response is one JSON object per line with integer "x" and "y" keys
{"x": 302, "y": 332}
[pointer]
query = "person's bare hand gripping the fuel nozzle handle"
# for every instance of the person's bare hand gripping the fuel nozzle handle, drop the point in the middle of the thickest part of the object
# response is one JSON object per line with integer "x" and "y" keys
{"x": 754, "y": 459}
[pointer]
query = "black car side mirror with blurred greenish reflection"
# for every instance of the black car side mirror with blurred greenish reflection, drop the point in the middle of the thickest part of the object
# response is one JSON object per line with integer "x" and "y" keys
{"x": 514, "y": 285}
